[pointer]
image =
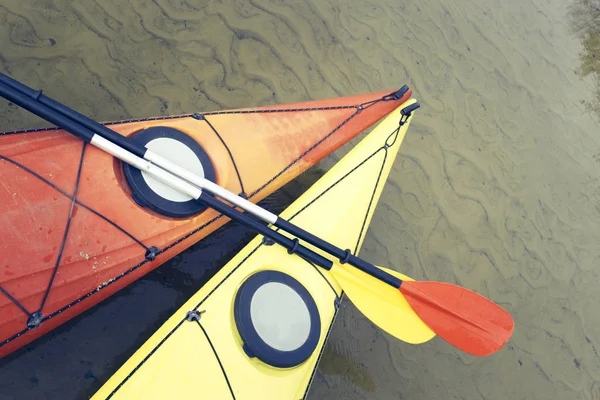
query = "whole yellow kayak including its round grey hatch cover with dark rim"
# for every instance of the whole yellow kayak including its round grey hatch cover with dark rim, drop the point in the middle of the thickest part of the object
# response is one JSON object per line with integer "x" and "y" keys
{"x": 257, "y": 329}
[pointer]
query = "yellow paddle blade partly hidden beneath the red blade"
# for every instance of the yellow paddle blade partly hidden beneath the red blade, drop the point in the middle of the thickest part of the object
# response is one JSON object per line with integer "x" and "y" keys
{"x": 382, "y": 304}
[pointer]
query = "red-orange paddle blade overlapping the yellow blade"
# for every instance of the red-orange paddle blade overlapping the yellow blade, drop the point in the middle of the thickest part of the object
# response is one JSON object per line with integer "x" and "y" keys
{"x": 463, "y": 318}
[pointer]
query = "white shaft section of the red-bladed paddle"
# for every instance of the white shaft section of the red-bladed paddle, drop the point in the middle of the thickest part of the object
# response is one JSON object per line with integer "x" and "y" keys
{"x": 211, "y": 187}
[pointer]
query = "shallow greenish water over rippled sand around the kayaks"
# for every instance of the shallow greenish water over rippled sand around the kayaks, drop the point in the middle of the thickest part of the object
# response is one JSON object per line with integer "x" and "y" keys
{"x": 496, "y": 187}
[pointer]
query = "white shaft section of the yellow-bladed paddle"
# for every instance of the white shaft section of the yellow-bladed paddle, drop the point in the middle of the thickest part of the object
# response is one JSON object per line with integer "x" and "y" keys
{"x": 146, "y": 166}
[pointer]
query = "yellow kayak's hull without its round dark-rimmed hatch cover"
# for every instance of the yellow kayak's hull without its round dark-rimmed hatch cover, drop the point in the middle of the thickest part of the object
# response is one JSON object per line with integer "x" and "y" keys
{"x": 338, "y": 208}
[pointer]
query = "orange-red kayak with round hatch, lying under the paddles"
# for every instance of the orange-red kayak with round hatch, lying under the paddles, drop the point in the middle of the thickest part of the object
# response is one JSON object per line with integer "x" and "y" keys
{"x": 76, "y": 225}
